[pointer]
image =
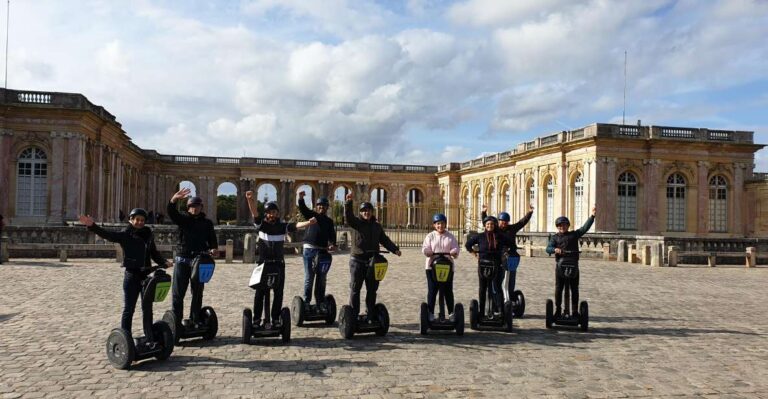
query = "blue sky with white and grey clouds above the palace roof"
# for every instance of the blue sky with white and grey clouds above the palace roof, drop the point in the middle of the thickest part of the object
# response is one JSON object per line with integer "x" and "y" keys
{"x": 393, "y": 81}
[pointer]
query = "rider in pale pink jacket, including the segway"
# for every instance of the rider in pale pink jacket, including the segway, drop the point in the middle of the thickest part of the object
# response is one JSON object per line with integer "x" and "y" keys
{"x": 440, "y": 247}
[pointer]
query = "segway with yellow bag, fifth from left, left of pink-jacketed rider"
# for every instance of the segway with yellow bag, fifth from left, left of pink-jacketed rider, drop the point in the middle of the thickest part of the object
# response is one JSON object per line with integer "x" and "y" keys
{"x": 350, "y": 323}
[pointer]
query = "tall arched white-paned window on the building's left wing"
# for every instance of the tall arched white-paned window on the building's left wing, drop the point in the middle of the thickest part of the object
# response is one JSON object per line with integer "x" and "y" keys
{"x": 32, "y": 183}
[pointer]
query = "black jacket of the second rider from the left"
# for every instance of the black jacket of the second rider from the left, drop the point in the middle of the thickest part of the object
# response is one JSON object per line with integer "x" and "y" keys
{"x": 196, "y": 233}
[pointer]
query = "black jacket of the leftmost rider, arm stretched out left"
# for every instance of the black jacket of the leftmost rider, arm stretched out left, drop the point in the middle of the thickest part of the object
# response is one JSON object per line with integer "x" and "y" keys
{"x": 138, "y": 246}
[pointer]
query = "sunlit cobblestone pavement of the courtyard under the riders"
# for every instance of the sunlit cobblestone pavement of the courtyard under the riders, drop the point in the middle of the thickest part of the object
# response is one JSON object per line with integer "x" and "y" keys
{"x": 688, "y": 331}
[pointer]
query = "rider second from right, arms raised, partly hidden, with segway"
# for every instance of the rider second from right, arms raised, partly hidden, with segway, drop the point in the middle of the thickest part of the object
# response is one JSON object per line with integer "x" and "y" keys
{"x": 511, "y": 260}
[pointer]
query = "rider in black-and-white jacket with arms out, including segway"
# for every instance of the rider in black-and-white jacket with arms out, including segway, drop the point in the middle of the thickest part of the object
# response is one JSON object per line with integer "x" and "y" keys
{"x": 269, "y": 275}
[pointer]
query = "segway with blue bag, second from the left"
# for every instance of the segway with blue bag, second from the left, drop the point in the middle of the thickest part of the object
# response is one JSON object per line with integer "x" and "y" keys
{"x": 205, "y": 324}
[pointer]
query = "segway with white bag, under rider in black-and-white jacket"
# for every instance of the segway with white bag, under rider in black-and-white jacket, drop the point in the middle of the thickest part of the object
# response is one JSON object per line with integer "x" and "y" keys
{"x": 267, "y": 274}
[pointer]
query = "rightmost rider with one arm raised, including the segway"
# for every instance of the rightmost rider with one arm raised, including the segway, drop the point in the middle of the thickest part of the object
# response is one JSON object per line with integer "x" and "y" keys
{"x": 565, "y": 245}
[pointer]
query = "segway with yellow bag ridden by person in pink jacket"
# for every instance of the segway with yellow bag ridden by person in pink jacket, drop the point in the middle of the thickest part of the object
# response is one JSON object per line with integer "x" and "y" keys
{"x": 442, "y": 271}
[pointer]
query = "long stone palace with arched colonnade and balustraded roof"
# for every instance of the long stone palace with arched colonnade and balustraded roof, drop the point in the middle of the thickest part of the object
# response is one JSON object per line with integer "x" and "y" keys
{"x": 63, "y": 156}
